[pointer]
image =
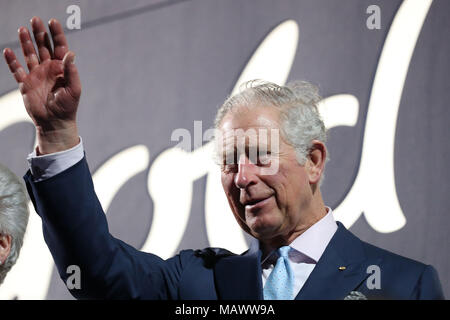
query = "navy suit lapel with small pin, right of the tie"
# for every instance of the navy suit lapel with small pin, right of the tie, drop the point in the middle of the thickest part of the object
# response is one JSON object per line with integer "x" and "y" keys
{"x": 326, "y": 281}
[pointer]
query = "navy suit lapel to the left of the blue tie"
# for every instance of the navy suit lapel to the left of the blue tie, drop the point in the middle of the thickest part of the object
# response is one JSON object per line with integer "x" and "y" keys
{"x": 238, "y": 277}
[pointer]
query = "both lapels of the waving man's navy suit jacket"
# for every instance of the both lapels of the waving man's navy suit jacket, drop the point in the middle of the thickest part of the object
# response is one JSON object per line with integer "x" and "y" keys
{"x": 236, "y": 279}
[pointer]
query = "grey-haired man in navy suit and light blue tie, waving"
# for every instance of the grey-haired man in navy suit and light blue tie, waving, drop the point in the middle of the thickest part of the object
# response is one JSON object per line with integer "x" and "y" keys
{"x": 272, "y": 183}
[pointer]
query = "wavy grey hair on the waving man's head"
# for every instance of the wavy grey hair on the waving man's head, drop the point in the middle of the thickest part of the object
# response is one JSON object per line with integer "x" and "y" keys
{"x": 297, "y": 101}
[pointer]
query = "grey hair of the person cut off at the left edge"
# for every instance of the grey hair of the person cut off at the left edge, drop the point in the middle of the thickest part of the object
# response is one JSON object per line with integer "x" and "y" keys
{"x": 13, "y": 215}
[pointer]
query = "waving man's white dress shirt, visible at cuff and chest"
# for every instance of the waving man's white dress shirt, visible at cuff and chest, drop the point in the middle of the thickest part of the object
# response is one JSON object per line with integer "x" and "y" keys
{"x": 306, "y": 248}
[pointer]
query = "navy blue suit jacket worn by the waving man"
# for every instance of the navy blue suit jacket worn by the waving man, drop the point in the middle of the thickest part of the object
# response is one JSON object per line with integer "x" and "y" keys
{"x": 76, "y": 231}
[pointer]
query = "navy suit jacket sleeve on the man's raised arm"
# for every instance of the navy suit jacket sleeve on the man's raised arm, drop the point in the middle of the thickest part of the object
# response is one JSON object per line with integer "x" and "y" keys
{"x": 76, "y": 232}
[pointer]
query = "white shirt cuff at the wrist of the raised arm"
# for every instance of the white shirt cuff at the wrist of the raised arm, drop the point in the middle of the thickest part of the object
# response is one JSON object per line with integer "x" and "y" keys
{"x": 49, "y": 165}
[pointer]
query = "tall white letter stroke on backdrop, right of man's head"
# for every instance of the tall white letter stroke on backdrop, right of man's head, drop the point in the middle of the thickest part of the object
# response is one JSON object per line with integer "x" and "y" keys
{"x": 373, "y": 191}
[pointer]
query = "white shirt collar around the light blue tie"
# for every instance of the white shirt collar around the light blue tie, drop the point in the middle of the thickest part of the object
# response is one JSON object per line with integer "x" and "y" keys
{"x": 310, "y": 245}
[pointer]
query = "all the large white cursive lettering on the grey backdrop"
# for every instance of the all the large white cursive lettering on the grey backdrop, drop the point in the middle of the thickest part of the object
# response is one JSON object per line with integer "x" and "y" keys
{"x": 30, "y": 277}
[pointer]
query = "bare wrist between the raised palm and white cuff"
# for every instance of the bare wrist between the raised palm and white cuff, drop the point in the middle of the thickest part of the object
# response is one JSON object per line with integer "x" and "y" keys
{"x": 51, "y": 141}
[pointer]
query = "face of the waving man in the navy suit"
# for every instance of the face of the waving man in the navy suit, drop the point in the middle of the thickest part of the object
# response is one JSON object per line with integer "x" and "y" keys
{"x": 265, "y": 205}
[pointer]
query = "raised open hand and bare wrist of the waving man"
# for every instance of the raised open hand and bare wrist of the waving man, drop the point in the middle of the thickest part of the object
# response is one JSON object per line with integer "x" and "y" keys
{"x": 51, "y": 90}
